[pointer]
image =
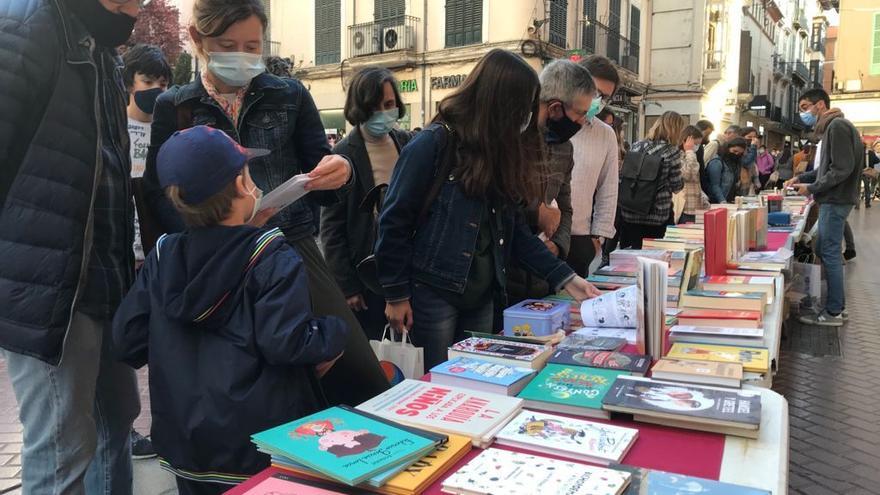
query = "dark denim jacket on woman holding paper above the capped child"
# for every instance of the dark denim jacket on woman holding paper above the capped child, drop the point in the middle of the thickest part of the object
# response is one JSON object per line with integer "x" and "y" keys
{"x": 278, "y": 114}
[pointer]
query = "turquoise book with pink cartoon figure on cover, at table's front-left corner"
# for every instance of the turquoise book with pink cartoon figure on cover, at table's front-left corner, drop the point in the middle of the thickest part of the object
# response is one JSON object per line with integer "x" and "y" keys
{"x": 343, "y": 444}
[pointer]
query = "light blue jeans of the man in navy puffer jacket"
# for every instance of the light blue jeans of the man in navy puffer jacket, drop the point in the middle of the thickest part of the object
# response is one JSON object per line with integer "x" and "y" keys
{"x": 77, "y": 416}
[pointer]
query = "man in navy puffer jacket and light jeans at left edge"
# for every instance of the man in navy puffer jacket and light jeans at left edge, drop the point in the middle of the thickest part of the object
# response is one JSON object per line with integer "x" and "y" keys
{"x": 66, "y": 223}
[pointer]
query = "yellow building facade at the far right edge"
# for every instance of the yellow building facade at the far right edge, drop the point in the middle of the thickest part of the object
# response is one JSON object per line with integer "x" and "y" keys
{"x": 856, "y": 79}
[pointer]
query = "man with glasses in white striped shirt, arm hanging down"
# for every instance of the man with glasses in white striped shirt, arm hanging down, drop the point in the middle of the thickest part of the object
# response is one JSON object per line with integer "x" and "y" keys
{"x": 595, "y": 174}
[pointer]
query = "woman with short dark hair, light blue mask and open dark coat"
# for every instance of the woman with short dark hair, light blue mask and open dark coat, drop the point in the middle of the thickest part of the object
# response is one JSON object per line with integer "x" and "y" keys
{"x": 348, "y": 231}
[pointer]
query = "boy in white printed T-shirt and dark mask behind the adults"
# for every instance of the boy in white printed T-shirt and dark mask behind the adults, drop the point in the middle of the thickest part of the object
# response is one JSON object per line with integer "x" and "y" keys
{"x": 146, "y": 75}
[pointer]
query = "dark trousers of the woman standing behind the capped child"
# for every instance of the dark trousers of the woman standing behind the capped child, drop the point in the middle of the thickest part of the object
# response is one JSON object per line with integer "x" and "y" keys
{"x": 357, "y": 375}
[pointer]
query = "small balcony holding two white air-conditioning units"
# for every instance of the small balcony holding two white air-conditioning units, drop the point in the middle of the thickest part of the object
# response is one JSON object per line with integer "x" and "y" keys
{"x": 383, "y": 36}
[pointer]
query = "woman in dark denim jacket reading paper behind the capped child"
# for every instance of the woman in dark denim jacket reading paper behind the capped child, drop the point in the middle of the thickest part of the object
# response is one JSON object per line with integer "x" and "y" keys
{"x": 259, "y": 110}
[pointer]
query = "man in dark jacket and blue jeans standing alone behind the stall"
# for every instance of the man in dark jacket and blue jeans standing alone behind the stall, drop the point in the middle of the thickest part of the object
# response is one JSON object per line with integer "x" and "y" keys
{"x": 834, "y": 184}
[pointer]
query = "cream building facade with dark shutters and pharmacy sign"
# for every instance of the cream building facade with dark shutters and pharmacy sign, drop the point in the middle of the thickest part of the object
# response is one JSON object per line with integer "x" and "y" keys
{"x": 432, "y": 45}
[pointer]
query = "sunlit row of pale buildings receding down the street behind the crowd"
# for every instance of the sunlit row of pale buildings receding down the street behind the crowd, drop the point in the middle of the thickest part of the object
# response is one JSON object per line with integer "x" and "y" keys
{"x": 740, "y": 62}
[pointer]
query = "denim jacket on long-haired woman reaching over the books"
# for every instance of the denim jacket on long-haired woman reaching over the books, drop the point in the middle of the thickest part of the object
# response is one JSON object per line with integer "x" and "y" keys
{"x": 439, "y": 253}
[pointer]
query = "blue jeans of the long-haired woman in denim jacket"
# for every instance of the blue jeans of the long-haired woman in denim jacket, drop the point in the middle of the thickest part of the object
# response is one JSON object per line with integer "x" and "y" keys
{"x": 438, "y": 324}
